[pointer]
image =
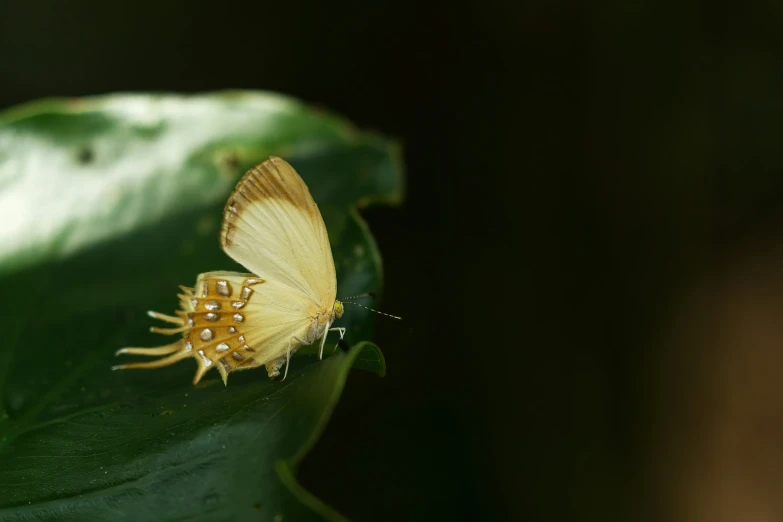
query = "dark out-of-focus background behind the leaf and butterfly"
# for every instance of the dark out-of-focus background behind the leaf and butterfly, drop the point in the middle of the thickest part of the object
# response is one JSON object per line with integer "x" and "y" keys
{"x": 587, "y": 259}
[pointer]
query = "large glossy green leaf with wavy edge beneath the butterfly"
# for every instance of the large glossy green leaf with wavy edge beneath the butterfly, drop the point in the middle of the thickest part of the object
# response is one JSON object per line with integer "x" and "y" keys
{"x": 106, "y": 206}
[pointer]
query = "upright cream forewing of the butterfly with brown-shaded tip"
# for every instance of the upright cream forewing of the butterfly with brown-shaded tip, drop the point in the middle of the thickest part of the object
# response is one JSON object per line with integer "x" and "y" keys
{"x": 272, "y": 226}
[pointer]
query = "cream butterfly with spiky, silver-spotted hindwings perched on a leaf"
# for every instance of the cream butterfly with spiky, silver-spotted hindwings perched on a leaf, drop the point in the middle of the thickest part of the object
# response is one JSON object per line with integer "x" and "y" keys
{"x": 237, "y": 321}
